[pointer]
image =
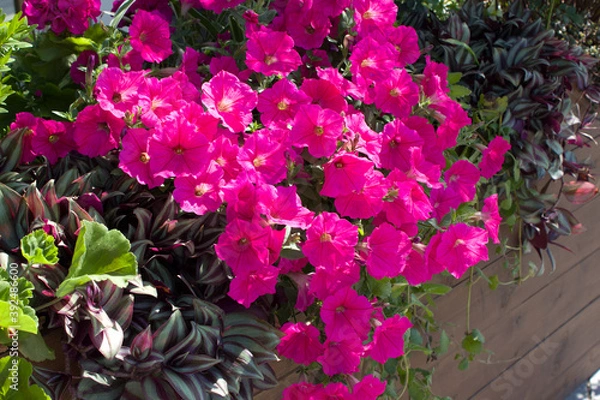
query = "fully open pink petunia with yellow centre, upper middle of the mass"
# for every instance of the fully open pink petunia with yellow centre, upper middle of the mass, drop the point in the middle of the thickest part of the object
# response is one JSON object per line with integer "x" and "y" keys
{"x": 318, "y": 129}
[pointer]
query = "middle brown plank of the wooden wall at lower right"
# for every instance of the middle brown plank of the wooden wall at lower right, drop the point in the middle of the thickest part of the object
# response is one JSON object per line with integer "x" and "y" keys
{"x": 520, "y": 329}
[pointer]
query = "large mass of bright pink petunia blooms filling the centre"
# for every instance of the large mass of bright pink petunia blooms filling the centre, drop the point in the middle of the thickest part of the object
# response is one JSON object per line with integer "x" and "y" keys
{"x": 340, "y": 167}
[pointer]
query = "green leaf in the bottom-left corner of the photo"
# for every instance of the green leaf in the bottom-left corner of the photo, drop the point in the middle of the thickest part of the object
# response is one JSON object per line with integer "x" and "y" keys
{"x": 14, "y": 375}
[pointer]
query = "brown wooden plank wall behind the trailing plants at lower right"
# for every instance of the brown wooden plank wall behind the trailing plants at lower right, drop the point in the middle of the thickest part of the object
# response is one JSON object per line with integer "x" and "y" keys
{"x": 542, "y": 338}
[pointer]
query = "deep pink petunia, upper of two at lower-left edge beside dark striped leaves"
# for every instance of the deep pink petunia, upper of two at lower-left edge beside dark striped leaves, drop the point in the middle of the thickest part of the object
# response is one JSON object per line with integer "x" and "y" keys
{"x": 244, "y": 245}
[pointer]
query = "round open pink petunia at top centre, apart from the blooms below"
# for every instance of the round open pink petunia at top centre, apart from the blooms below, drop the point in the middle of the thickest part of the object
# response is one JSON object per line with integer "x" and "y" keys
{"x": 271, "y": 53}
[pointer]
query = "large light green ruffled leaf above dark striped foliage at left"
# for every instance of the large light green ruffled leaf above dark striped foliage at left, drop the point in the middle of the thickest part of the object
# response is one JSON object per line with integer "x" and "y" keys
{"x": 99, "y": 255}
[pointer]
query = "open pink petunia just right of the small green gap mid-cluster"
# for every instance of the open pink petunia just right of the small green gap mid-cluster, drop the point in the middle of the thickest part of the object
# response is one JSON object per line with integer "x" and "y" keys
{"x": 330, "y": 240}
